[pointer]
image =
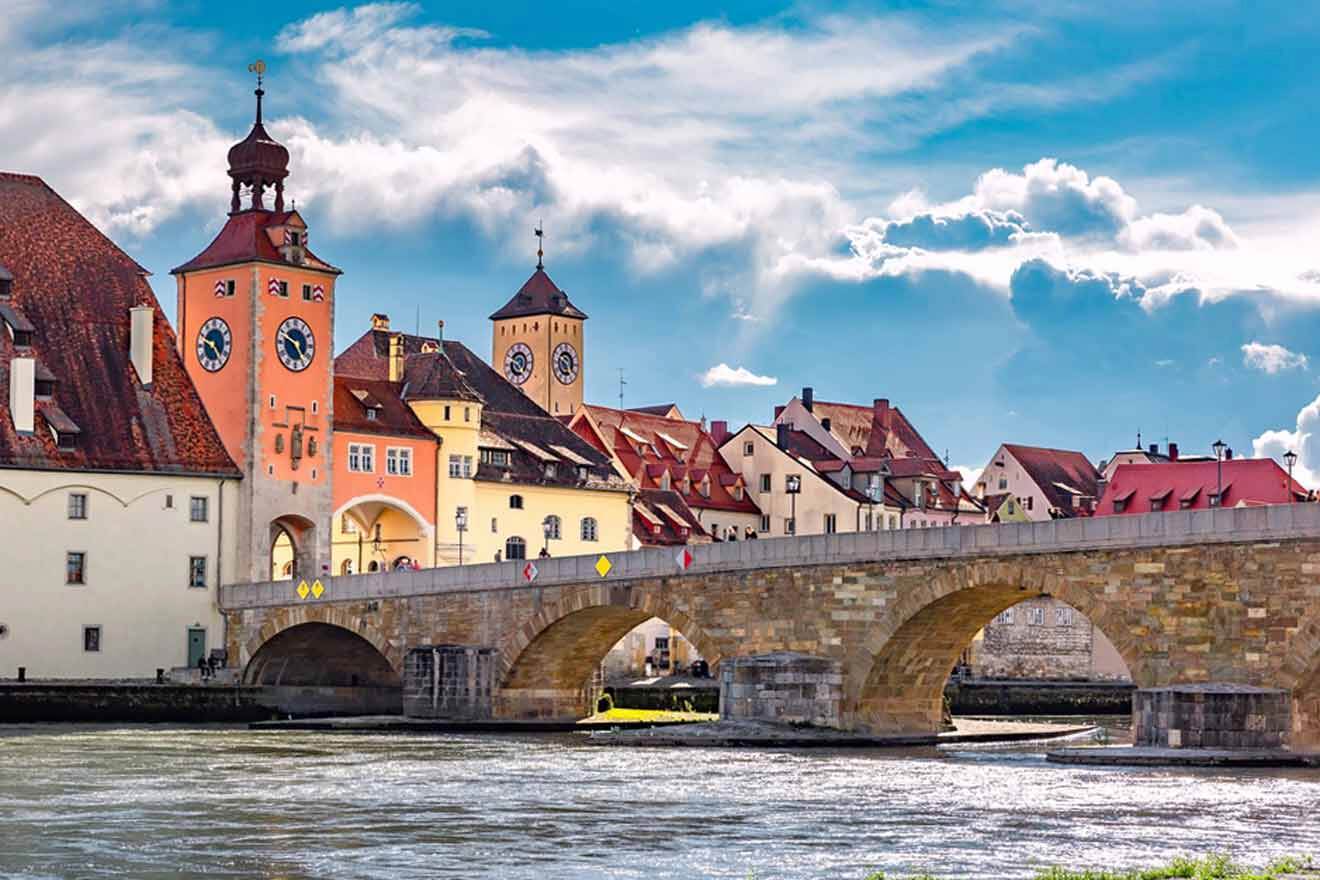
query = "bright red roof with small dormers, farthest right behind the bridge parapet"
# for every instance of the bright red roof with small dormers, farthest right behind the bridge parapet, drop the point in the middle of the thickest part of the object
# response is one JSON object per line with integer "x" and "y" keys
{"x": 1247, "y": 482}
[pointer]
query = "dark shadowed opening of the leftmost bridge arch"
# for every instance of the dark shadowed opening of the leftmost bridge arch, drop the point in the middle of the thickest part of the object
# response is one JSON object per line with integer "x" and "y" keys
{"x": 315, "y": 668}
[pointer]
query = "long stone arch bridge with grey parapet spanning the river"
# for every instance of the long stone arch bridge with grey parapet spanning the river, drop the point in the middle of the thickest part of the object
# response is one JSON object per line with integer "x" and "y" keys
{"x": 1228, "y": 596}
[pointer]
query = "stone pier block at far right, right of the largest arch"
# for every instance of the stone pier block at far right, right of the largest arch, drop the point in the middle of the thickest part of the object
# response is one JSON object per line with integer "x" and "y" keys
{"x": 1212, "y": 717}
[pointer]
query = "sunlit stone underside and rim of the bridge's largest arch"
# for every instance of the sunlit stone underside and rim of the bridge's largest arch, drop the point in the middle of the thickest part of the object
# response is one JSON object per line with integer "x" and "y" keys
{"x": 900, "y": 687}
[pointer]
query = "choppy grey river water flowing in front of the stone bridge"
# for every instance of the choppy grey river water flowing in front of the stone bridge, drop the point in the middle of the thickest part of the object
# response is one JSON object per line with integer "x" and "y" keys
{"x": 156, "y": 803}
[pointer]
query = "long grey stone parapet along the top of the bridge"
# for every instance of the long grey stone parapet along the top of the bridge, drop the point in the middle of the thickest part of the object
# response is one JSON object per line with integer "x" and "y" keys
{"x": 1175, "y": 528}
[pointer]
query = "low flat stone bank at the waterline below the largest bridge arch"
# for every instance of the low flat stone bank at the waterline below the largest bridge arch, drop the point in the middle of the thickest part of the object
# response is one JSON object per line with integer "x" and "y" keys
{"x": 764, "y": 734}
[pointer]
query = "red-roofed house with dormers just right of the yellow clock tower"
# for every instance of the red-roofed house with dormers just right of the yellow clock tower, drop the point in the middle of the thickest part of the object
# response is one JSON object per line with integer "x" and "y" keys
{"x": 687, "y": 493}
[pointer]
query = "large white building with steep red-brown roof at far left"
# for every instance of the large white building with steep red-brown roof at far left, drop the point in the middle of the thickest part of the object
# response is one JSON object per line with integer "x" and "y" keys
{"x": 123, "y": 487}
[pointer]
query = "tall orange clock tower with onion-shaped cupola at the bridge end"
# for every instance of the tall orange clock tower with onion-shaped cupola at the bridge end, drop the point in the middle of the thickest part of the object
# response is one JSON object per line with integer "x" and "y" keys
{"x": 257, "y": 323}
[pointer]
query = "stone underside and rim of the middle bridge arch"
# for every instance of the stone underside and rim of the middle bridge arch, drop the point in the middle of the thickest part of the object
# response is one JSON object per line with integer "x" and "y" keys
{"x": 547, "y": 666}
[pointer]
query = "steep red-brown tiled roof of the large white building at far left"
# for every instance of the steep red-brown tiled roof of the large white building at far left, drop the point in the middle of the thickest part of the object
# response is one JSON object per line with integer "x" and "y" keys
{"x": 77, "y": 288}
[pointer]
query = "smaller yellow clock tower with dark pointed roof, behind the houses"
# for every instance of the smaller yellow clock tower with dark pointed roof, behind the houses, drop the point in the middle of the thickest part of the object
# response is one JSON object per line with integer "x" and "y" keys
{"x": 538, "y": 344}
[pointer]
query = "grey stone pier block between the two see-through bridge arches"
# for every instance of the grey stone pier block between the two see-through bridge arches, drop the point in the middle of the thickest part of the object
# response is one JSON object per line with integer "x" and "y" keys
{"x": 783, "y": 688}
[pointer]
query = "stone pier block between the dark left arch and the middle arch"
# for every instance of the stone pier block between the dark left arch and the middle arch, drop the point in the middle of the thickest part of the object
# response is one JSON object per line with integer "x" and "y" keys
{"x": 449, "y": 681}
